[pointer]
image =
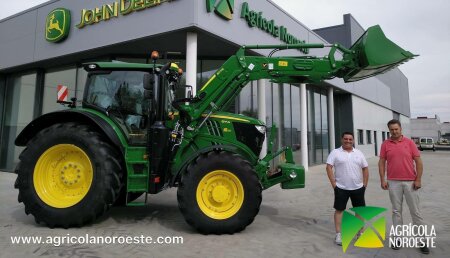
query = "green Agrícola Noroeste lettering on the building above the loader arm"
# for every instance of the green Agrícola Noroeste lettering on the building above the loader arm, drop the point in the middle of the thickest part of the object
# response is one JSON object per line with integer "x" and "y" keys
{"x": 256, "y": 19}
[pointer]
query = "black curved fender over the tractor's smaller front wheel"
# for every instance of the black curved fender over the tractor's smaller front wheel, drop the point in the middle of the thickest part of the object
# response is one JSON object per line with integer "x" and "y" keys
{"x": 228, "y": 148}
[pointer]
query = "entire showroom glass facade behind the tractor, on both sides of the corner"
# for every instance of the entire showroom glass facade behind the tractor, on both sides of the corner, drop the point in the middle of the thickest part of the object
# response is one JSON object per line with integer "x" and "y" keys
{"x": 282, "y": 107}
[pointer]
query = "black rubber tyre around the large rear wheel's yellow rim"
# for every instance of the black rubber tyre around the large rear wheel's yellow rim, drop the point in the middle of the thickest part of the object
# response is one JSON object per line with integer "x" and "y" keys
{"x": 104, "y": 187}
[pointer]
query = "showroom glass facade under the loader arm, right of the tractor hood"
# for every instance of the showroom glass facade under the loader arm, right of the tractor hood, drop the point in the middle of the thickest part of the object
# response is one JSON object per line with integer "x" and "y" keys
{"x": 283, "y": 109}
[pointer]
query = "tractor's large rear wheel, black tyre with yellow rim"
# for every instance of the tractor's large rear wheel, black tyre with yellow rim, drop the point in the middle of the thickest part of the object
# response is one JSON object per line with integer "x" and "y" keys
{"x": 68, "y": 175}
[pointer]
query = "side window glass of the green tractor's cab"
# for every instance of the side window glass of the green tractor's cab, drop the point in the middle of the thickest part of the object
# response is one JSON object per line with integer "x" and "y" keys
{"x": 121, "y": 94}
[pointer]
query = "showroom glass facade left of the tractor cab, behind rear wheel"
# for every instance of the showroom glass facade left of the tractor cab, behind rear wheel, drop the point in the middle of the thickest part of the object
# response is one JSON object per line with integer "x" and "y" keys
{"x": 22, "y": 98}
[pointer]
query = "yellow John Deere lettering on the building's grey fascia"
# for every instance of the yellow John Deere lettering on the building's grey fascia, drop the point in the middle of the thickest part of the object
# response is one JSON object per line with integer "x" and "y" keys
{"x": 121, "y": 7}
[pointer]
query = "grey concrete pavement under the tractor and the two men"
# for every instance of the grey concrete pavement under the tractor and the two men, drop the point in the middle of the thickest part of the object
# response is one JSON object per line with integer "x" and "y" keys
{"x": 291, "y": 223}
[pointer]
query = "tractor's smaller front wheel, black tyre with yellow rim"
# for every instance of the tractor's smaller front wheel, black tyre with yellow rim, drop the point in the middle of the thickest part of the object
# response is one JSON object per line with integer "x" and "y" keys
{"x": 219, "y": 193}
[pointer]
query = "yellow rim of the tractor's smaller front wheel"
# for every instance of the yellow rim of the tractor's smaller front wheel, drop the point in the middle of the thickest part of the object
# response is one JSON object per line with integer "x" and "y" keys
{"x": 220, "y": 194}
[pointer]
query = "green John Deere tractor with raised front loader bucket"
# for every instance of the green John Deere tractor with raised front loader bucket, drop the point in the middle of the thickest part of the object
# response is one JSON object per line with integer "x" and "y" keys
{"x": 131, "y": 136}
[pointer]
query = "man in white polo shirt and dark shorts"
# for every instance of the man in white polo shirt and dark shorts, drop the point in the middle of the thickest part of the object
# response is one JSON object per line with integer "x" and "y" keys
{"x": 349, "y": 180}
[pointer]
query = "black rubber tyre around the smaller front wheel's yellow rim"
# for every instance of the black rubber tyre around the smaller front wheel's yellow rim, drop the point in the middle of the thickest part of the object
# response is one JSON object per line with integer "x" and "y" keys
{"x": 199, "y": 169}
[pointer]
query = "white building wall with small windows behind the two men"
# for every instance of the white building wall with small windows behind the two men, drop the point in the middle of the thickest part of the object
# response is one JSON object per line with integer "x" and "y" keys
{"x": 369, "y": 116}
